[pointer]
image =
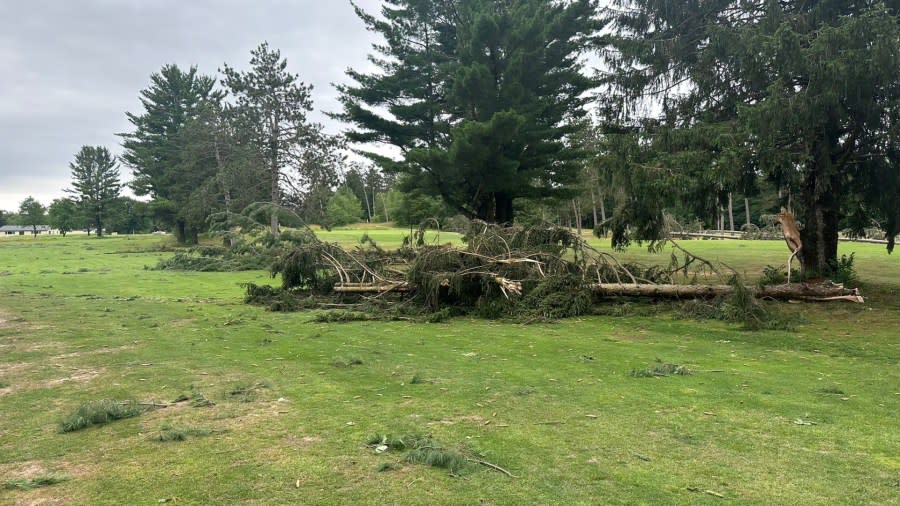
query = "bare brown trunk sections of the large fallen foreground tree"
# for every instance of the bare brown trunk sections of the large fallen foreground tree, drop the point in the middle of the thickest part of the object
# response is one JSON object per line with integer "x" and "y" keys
{"x": 794, "y": 291}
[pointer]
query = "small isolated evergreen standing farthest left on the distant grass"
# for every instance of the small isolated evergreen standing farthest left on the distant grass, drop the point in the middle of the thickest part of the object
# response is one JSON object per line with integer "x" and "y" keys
{"x": 95, "y": 183}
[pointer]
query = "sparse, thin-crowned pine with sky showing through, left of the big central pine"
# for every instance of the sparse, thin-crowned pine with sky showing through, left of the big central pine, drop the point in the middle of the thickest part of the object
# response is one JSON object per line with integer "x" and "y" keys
{"x": 273, "y": 106}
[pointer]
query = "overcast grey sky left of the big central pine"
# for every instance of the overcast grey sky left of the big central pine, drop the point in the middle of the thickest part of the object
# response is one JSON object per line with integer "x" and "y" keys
{"x": 70, "y": 69}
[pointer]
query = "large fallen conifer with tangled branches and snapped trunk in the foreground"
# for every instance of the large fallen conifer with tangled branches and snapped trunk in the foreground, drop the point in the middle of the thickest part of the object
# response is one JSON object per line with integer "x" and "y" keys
{"x": 540, "y": 272}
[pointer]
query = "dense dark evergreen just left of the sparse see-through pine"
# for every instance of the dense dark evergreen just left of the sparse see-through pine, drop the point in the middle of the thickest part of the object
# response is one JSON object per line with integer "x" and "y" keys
{"x": 154, "y": 151}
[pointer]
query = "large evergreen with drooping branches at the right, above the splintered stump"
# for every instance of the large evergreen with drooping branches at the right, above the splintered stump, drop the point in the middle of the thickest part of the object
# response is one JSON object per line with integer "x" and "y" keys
{"x": 805, "y": 93}
